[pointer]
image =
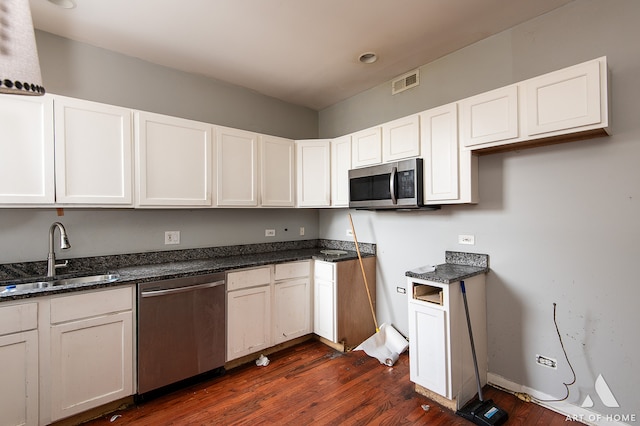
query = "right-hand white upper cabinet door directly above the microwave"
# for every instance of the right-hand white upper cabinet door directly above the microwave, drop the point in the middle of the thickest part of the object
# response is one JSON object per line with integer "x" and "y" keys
{"x": 401, "y": 138}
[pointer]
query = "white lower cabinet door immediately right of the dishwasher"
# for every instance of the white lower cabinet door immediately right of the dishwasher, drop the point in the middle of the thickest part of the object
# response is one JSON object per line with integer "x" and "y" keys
{"x": 248, "y": 321}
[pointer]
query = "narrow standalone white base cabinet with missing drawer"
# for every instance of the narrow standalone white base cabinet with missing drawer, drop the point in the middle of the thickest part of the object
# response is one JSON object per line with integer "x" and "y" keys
{"x": 440, "y": 361}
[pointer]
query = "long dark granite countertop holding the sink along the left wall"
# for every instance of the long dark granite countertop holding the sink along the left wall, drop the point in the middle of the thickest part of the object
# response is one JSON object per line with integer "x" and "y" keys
{"x": 139, "y": 268}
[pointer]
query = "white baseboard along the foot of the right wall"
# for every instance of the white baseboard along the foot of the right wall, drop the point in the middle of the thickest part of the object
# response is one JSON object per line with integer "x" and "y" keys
{"x": 571, "y": 411}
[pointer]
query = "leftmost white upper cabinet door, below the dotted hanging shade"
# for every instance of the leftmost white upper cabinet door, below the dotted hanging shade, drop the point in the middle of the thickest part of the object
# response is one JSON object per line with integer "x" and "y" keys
{"x": 26, "y": 150}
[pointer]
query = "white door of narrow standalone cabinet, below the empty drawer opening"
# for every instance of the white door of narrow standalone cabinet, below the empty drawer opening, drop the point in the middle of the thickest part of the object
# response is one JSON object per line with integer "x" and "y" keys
{"x": 428, "y": 351}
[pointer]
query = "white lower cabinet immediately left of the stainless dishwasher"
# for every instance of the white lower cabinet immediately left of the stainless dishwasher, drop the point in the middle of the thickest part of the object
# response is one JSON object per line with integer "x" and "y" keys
{"x": 91, "y": 353}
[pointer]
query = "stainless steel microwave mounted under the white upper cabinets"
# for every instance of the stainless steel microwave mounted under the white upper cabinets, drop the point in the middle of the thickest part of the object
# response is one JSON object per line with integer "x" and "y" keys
{"x": 389, "y": 186}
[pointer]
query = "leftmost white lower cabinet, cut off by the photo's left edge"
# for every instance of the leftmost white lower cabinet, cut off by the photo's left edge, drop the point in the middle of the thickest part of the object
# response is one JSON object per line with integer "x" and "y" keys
{"x": 19, "y": 358}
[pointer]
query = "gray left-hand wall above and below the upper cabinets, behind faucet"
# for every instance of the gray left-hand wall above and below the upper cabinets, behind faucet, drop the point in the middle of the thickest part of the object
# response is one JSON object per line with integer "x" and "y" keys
{"x": 82, "y": 71}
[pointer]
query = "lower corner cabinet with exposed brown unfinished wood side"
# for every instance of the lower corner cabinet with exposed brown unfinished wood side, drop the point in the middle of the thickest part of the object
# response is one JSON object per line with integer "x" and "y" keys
{"x": 341, "y": 308}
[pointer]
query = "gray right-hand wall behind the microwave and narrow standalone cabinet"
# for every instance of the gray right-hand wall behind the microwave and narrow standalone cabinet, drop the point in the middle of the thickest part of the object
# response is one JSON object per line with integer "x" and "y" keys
{"x": 560, "y": 223}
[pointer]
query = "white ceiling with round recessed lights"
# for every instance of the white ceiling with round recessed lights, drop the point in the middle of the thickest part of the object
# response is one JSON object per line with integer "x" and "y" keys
{"x": 300, "y": 51}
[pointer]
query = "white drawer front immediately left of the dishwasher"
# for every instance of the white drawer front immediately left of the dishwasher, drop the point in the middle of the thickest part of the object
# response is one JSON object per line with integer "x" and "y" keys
{"x": 86, "y": 305}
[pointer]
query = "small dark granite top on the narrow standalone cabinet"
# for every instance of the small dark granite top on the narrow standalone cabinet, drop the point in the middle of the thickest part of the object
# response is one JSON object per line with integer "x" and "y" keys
{"x": 458, "y": 266}
